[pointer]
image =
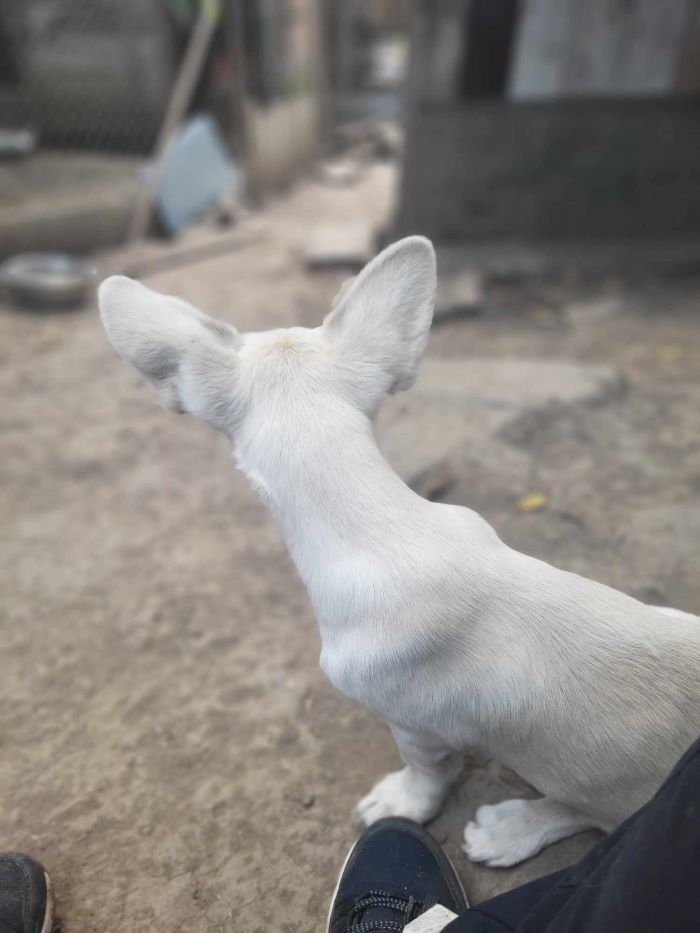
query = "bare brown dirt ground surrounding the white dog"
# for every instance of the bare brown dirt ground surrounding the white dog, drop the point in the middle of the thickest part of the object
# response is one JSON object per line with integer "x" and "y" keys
{"x": 170, "y": 748}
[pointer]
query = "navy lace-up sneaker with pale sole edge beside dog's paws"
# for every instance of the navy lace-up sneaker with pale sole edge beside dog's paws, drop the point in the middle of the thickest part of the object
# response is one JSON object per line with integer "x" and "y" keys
{"x": 394, "y": 873}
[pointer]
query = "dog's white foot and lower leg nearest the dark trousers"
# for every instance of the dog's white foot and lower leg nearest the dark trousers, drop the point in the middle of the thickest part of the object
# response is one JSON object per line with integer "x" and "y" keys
{"x": 506, "y": 833}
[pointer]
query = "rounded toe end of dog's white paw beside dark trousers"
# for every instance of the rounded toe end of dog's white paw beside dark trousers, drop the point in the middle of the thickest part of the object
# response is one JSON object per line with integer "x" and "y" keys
{"x": 502, "y": 834}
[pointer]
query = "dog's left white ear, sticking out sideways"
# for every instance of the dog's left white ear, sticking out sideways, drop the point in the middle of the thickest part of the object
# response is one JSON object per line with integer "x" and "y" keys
{"x": 188, "y": 356}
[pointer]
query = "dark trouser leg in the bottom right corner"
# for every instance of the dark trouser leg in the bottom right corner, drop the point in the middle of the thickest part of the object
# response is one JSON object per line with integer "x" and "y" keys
{"x": 643, "y": 878}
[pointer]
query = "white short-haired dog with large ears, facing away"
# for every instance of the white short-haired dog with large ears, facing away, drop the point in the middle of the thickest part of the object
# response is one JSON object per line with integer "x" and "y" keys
{"x": 456, "y": 640}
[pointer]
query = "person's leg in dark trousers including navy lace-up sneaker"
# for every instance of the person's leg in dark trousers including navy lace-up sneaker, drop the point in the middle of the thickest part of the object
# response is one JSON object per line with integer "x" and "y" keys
{"x": 643, "y": 877}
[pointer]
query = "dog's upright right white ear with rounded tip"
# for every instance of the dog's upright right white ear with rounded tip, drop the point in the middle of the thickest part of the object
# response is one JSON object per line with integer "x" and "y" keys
{"x": 381, "y": 319}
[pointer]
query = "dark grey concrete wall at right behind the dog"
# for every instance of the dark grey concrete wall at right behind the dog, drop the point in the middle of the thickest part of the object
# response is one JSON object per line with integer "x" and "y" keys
{"x": 556, "y": 169}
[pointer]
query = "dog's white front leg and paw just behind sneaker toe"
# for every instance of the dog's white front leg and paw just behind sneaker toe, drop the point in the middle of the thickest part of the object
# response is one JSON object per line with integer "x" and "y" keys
{"x": 418, "y": 791}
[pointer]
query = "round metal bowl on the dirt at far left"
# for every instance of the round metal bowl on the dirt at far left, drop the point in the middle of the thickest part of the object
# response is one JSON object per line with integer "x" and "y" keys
{"x": 41, "y": 281}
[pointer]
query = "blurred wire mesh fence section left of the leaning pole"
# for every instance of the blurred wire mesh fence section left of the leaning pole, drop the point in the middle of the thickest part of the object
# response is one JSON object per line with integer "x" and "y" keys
{"x": 89, "y": 74}
